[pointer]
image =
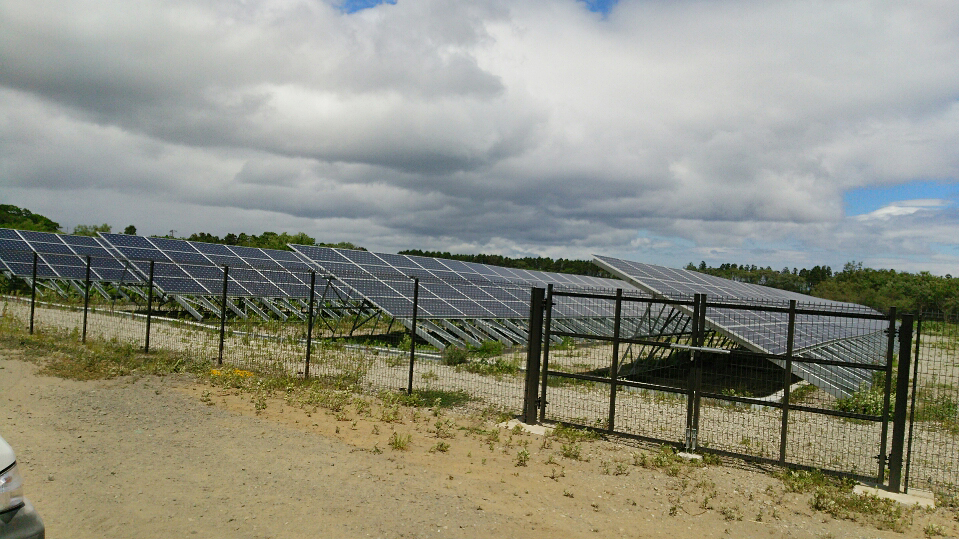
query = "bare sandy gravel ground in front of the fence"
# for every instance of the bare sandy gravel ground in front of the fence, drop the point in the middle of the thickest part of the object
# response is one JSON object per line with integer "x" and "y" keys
{"x": 167, "y": 457}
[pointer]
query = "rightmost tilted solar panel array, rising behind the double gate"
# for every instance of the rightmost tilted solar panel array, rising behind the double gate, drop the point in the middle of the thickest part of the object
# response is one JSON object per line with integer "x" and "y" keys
{"x": 816, "y": 336}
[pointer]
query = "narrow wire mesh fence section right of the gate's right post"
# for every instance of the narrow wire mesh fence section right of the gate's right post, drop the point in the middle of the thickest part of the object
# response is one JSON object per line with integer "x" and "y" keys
{"x": 934, "y": 462}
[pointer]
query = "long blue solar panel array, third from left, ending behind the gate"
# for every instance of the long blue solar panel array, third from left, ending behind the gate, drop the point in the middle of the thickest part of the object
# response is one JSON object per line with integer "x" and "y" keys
{"x": 448, "y": 289}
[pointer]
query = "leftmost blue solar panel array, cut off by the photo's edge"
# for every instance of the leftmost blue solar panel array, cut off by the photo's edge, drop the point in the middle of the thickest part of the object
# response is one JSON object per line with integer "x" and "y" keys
{"x": 60, "y": 257}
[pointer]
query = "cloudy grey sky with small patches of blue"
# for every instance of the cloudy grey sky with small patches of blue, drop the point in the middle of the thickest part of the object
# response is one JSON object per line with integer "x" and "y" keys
{"x": 774, "y": 133}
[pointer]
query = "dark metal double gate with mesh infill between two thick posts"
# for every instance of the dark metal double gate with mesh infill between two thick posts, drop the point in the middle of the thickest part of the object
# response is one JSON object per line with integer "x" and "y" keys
{"x": 805, "y": 385}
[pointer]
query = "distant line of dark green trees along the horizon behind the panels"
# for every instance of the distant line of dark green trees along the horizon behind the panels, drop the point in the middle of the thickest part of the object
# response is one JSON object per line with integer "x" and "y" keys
{"x": 880, "y": 289}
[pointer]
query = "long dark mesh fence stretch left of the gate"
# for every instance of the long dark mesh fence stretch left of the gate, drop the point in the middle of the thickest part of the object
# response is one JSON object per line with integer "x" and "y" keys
{"x": 263, "y": 323}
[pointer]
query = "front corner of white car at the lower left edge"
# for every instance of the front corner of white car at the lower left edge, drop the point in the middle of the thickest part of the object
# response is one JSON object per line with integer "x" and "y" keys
{"x": 18, "y": 519}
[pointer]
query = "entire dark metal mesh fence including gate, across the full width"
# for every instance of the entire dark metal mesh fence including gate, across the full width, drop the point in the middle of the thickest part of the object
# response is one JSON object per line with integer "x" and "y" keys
{"x": 470, "y": 348}
